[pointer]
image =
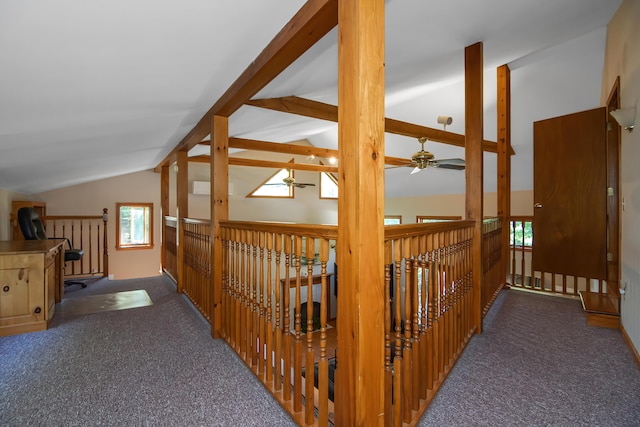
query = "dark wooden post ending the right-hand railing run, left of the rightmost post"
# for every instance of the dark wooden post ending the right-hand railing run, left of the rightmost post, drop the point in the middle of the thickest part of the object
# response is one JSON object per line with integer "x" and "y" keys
{"x": 473, "y": 126}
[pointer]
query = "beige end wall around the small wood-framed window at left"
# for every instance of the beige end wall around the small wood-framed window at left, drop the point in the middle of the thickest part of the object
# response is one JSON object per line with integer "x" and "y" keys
{"x": 91, "y": 198}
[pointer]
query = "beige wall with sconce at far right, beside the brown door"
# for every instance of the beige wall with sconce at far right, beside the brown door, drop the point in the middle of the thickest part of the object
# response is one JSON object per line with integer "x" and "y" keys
{"x": 622, "y": 59}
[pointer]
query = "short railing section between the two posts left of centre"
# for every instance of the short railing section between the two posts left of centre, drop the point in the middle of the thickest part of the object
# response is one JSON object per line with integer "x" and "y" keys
{"x": 195, "y": 278}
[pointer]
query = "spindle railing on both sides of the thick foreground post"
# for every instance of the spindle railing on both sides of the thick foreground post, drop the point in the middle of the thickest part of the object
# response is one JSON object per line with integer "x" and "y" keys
{"x": 428, "y": 311}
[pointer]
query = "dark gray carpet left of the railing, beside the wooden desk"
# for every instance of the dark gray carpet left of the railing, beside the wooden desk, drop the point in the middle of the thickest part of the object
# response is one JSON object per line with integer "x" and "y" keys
{"x": 149, "y": 366}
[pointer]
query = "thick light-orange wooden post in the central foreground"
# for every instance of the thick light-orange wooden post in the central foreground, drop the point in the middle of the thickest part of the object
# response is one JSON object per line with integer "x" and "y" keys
{"x": 360, "y": 246}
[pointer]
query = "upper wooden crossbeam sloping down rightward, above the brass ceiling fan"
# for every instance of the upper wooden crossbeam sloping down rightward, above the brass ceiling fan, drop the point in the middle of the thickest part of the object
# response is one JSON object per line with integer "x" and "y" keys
{"x": 320, "y": 110}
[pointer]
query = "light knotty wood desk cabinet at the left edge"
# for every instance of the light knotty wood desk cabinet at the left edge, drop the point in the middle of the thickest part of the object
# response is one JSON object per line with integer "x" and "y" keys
{"x": 31, "y": 282}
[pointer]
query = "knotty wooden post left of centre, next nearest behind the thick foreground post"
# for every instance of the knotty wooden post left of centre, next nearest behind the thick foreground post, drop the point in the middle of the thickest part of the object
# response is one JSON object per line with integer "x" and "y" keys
{"x": 219, "y": 212}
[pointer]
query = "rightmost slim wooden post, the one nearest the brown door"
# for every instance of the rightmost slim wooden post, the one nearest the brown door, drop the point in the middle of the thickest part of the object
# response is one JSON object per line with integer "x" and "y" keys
{"x": 504, "y": 163}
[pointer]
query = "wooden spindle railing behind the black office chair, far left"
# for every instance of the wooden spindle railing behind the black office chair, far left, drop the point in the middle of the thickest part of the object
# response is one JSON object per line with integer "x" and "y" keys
{"x": 86, "y": 232}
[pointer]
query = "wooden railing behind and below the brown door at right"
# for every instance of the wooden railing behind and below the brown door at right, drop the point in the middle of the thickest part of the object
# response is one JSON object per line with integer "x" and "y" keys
{"x": 522, "y": 275}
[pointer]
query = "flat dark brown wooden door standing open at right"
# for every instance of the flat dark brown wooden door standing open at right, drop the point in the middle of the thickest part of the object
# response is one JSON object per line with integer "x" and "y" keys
{"x": 570, "y": 195}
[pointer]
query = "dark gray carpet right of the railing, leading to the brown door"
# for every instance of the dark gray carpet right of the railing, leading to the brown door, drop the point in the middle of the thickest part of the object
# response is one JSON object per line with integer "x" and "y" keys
{"x": 538, "y": 364}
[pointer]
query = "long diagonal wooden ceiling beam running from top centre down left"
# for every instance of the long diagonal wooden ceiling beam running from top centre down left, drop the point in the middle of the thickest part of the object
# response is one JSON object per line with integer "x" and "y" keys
{"x": 312, "y": 22}
